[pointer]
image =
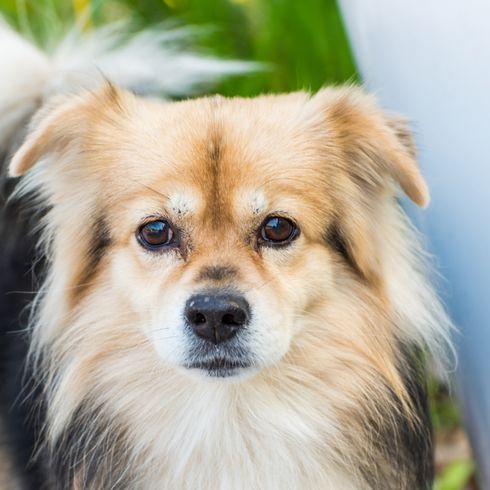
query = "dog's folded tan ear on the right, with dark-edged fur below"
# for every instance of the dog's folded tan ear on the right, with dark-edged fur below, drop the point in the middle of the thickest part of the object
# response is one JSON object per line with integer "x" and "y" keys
{"x": 367, "y": 152}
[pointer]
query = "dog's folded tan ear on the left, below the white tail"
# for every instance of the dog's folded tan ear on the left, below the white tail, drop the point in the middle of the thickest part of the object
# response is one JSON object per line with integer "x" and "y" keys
{"x": 59, "y": 125}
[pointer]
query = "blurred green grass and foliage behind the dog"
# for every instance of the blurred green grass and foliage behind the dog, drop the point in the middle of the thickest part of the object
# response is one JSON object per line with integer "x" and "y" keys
{"x": 304, "y": 46}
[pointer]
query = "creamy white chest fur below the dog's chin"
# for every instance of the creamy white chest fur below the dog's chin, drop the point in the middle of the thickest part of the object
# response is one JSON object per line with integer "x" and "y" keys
{"x": 219, "y": 436}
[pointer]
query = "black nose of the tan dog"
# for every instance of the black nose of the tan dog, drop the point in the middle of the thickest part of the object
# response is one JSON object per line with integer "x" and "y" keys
{"x": 217, "y": 316}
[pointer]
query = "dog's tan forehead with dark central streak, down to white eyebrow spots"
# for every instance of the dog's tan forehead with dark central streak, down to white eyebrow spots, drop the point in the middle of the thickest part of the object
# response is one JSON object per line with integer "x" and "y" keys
{"x": 220, "y": 158}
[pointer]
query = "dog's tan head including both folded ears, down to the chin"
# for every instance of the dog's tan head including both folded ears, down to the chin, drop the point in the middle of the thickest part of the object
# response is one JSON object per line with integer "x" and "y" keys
{"x": 221, "y": 228}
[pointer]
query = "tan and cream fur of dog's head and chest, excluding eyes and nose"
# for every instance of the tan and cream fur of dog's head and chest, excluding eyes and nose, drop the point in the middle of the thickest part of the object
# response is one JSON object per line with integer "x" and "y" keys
{"x": 330, "y": 331}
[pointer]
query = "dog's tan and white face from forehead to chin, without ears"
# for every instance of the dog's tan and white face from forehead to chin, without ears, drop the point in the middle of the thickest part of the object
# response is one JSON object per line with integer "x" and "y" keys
{"x": 222, "y": 220}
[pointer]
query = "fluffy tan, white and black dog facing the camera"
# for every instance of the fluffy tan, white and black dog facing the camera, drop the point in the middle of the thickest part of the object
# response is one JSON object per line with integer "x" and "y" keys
{"x": 232, "y": 296}
